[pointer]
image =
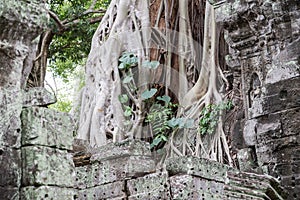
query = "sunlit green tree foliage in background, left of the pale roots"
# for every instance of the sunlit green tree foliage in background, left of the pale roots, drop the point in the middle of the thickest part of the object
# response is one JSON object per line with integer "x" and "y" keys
{"x": 71, "y": 45}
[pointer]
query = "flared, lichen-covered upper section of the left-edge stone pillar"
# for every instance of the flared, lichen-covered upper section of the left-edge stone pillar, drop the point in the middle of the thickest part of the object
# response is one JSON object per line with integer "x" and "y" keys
{"x": 22, "y": 22}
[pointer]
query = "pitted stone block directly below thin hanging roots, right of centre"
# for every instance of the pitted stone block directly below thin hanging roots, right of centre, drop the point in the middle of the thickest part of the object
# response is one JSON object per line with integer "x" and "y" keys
{"x": 198, "y": 167}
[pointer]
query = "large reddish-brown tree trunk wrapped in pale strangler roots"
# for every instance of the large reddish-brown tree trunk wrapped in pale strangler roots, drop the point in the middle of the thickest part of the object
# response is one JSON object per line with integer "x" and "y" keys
{"x": 162, "y": 31}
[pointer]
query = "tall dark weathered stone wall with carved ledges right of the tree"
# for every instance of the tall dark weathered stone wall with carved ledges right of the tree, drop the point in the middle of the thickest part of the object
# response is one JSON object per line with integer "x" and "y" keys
{"x": 264, "y": 39}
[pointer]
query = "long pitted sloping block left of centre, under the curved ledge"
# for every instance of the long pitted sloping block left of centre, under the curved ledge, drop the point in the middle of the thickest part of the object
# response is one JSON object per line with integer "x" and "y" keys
{"x": 109, "y": 171}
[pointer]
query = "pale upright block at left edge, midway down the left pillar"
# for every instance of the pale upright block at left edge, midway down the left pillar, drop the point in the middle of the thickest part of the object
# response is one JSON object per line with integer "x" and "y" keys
{"x": 10, "y": 123}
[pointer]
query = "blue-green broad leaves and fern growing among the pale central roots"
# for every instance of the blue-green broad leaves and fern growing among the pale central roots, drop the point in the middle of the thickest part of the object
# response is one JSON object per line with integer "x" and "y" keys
{"x": 161, "y": 115}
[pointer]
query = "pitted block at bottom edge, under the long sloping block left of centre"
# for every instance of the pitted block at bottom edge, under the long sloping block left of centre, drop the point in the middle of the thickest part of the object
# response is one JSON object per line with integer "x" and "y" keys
{"x": 115, "y": 190}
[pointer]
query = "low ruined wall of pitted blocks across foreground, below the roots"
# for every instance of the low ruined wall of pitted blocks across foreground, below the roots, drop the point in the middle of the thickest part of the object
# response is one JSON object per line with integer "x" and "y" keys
{"x": 52, "y": 166}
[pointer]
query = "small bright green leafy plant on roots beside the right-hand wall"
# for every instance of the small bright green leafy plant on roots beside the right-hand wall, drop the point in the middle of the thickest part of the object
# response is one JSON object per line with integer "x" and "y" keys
{"x": 209, "y": 117}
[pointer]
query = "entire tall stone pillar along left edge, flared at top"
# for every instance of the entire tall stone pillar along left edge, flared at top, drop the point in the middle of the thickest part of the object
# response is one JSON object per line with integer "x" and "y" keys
{"x": 21, "y": 21}
